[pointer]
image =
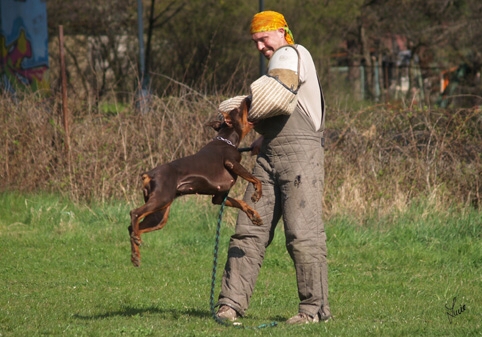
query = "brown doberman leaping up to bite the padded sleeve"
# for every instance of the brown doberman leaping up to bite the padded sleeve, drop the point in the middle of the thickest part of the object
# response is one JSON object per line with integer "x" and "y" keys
{"x": 211, "y": 171}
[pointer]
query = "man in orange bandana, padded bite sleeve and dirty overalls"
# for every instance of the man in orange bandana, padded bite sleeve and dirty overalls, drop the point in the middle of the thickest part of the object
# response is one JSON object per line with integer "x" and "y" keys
{"x": 290, "y": 165}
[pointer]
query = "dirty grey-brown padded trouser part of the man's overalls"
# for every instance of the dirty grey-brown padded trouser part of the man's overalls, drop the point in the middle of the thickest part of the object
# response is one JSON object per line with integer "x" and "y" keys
{"x": 292, "y": 176}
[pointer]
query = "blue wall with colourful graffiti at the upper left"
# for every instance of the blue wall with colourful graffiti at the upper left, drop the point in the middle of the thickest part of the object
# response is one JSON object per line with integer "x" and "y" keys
{"x": 24, "y": 55}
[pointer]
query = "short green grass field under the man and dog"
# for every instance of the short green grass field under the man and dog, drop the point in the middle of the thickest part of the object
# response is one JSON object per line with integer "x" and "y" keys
{"x": 65, "y": 270}
